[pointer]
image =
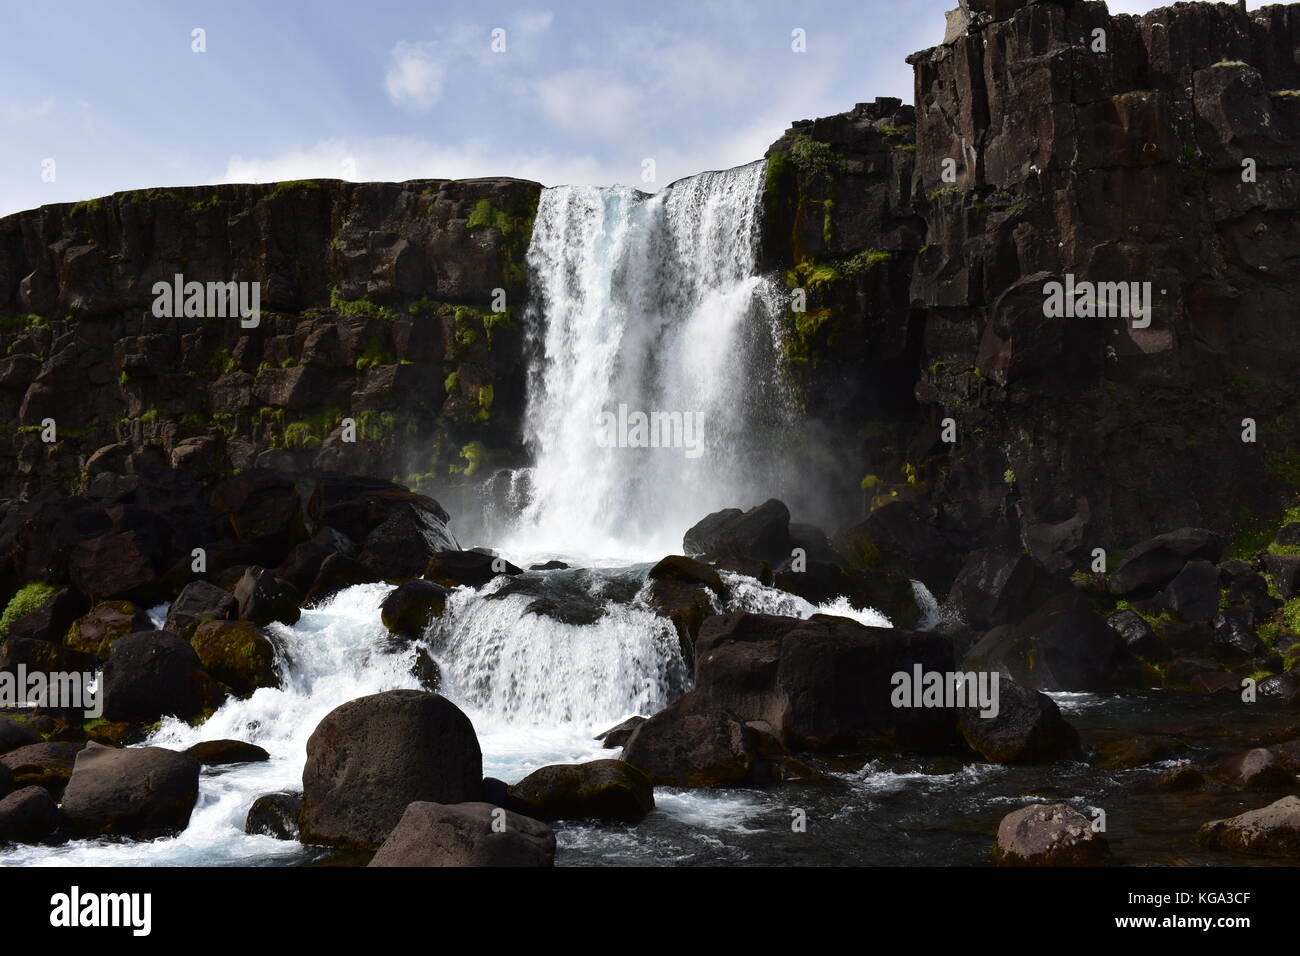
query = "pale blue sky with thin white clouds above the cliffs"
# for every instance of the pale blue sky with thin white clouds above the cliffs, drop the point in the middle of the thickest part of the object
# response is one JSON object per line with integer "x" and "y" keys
{"x": 105, "y": 97}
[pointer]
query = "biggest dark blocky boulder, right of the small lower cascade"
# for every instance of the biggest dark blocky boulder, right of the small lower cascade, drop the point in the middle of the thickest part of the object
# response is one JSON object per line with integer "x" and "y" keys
{"x": 826, "y": 684}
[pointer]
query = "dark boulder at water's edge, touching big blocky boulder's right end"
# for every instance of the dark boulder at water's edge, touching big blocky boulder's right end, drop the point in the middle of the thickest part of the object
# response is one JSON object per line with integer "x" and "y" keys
{"x": 1028, "y": 729}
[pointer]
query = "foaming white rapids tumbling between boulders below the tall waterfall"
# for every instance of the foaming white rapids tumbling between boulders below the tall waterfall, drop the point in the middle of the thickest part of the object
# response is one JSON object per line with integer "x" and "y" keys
{"x": 536, "y": 690}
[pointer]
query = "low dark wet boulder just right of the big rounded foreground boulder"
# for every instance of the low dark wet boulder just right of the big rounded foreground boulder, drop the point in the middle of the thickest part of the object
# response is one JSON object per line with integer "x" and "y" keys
{"x": 610, "y": 790}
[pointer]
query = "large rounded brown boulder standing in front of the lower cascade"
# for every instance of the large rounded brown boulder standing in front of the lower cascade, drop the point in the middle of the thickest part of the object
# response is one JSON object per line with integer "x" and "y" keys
{"x": 374, "y": 756}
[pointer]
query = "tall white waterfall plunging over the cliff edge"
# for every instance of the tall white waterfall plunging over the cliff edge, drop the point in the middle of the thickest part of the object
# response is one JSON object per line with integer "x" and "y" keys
{"x": 649, "y": 305}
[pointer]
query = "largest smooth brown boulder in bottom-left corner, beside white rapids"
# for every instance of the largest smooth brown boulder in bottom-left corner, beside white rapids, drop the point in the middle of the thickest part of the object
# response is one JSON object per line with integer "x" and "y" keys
{"x": 140, "y": 791}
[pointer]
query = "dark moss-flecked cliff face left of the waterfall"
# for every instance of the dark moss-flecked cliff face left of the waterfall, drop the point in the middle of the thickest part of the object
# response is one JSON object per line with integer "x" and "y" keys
{"x": 376, "y": 306}
